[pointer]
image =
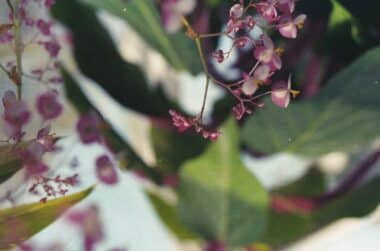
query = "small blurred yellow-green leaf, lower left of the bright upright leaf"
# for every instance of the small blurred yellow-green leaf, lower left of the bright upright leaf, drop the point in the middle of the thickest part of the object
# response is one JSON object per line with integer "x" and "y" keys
{"x": 169, "y": 216}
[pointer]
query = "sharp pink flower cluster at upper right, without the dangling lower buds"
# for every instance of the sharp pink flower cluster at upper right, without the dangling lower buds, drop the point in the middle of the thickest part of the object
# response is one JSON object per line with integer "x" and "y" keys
{"x": 275, "y": 14}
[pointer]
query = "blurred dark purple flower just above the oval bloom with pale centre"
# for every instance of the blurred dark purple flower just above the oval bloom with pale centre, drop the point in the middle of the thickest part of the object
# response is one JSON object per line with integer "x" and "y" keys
{"x": 88, "y": 127}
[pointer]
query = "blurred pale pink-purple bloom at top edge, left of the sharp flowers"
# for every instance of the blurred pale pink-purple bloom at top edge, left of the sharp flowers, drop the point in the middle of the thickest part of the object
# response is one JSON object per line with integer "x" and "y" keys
{"x": 173, "y": 10}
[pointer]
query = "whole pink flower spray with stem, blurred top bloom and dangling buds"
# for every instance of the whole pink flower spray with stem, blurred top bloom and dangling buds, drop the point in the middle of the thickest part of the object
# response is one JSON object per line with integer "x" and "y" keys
{"x": 266, "y": 58}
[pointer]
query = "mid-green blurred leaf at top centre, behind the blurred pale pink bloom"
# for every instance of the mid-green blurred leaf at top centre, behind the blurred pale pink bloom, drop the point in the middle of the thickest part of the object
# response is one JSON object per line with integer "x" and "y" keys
{"x": 143, "y": 16}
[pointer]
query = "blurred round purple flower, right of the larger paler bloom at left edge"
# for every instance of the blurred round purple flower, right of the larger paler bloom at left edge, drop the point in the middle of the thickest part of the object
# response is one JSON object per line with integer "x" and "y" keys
{"x": 48, "y": 105}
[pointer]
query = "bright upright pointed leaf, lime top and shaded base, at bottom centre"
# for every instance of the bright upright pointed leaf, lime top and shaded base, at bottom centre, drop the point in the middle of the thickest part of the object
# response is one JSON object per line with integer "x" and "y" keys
{"x": 219, "y": 199}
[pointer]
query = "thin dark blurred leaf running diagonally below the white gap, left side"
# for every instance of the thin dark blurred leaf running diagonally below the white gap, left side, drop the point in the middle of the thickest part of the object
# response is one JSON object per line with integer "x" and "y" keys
{"x": 118, "y": 145}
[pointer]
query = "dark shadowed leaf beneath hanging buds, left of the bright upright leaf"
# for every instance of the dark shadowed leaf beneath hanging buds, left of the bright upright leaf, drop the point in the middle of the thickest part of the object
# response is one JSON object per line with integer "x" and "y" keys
{"x": 172, "y": 149}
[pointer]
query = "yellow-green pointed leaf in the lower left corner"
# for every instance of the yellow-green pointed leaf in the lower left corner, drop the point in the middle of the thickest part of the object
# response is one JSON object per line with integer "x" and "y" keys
{"x": 17, "y": 224}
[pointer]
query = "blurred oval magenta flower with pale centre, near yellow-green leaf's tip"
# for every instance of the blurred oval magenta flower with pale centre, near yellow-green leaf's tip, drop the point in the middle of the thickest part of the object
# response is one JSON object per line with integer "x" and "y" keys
{"x": 105, "y": 170}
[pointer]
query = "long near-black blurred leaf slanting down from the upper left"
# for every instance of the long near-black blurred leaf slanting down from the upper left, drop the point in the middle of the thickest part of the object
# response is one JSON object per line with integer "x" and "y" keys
{"x": 98, "y": 58}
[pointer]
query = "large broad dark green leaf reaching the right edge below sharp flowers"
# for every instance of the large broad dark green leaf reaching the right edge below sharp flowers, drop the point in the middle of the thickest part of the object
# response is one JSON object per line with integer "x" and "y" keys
{"x": 343, "y": 117}
